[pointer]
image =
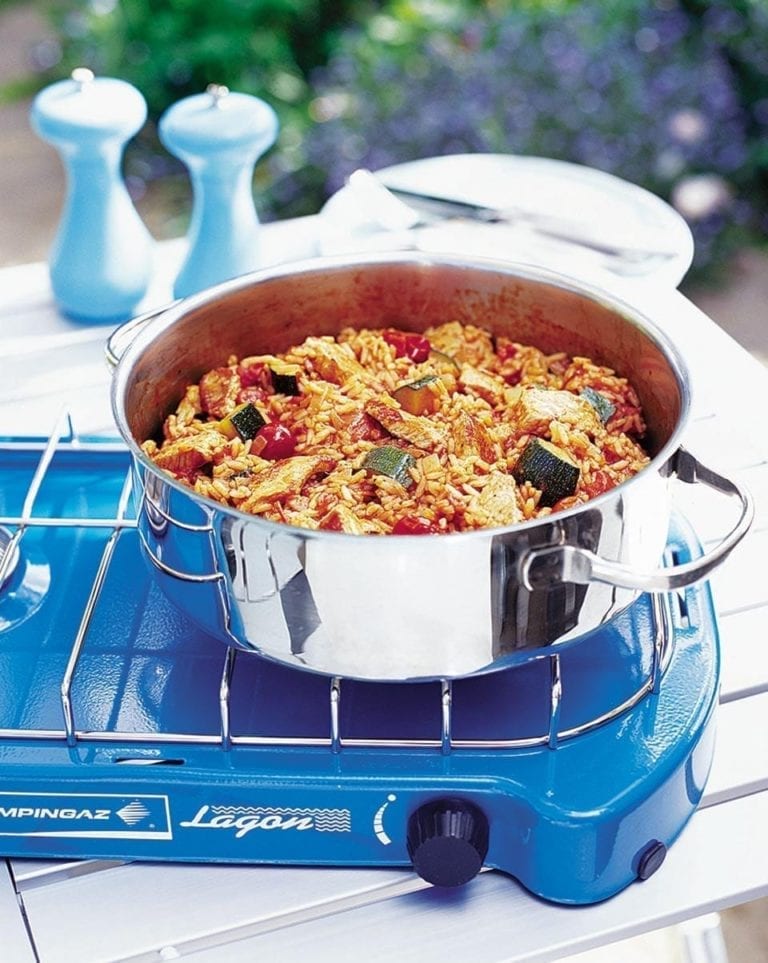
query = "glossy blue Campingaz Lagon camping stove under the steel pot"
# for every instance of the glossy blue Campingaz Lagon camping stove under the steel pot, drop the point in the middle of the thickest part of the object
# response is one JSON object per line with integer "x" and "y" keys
{"x": 126, "y": 733}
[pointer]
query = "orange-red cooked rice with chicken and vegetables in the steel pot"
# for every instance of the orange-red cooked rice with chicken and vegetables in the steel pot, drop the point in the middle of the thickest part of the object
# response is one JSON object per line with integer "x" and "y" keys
{"x": 473, "y": 436}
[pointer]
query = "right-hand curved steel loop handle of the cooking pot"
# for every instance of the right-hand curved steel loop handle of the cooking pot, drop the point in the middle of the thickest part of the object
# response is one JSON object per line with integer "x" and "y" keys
{"x": 543, "y": 568}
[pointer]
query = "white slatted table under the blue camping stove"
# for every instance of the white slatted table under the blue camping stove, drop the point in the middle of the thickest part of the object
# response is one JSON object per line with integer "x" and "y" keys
{"x": 94, "y": 910}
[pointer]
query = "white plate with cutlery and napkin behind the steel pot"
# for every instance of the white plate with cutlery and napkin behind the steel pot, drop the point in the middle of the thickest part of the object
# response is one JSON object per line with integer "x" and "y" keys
{"x": 573, "y": 219}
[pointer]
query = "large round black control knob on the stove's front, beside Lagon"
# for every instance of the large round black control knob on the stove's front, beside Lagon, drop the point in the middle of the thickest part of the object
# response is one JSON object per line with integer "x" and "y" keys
{"x": 447, "y": 841}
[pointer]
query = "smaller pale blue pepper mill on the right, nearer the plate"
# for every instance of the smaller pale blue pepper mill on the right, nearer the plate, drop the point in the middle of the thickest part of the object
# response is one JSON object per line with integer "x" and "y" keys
{"x": 219, "y": 136}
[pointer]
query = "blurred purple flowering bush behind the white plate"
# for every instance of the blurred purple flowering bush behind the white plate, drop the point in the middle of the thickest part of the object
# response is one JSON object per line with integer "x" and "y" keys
{"x": 648, "y": 97}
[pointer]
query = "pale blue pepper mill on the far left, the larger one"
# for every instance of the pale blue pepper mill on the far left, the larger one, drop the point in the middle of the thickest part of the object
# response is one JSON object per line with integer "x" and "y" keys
{"x": 100, "y": 263}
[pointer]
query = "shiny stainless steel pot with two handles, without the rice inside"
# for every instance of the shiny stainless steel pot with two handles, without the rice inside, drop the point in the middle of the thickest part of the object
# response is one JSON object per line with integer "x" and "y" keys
{"x": 395, "y": 607}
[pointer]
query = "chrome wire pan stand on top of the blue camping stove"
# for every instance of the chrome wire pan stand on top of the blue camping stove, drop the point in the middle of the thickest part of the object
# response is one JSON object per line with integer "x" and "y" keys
{"x": 64, "y": 438}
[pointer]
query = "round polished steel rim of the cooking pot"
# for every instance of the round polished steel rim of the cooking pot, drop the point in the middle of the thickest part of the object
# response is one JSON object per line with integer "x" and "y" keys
{"x": 175, "y": 312}
